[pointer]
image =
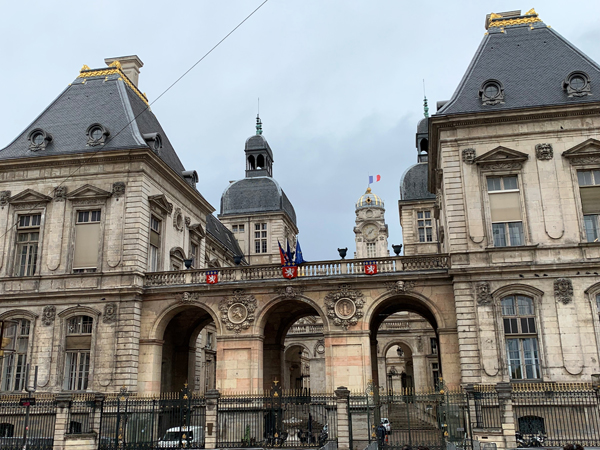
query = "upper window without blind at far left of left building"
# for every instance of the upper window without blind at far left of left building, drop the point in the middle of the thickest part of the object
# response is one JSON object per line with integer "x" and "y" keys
{"x": 28, "y": 237}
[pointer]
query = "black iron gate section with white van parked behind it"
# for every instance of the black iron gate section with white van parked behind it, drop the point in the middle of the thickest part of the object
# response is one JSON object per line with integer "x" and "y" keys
{"x": 173, "y": 420}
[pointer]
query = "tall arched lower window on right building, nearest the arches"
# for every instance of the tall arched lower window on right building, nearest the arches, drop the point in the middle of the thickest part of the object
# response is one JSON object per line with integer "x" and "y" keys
{"x": 520, "y": 332}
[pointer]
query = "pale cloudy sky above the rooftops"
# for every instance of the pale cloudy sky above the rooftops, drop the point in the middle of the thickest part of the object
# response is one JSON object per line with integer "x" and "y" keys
{"x": 339, "y": 81}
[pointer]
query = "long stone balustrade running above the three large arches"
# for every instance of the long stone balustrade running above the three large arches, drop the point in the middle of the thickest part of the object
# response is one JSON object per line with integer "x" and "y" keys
{"x": 311, "y": 270}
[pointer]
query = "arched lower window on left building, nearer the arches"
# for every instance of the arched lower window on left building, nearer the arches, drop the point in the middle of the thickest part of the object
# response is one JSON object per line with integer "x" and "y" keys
{"x": 78, "y": 344}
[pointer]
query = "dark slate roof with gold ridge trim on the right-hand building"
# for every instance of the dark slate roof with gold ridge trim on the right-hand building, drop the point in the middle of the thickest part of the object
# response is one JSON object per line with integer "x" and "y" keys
{"x": 531, "y": 61}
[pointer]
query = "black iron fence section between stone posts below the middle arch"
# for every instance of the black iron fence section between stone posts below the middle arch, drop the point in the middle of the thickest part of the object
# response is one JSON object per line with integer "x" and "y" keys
{"x": 277, "y": 419}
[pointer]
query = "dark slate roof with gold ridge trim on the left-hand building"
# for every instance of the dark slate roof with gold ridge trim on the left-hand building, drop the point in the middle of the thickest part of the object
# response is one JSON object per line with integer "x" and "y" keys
{"x": 96, "y": 96}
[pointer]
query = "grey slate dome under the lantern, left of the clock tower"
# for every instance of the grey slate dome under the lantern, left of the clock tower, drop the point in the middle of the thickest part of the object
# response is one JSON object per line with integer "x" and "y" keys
{"x": 255, "y": 195}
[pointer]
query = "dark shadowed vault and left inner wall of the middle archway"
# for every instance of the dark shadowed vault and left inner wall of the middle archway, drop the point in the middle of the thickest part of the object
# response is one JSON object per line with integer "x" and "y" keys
{"x": 276, "y": 323}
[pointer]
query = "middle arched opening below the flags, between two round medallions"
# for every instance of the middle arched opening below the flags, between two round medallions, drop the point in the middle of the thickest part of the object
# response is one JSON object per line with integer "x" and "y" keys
{"x": 278, "y": 330}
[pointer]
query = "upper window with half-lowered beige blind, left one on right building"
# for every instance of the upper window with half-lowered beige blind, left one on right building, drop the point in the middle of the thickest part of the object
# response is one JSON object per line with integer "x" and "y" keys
{"x": 505, "y": 211}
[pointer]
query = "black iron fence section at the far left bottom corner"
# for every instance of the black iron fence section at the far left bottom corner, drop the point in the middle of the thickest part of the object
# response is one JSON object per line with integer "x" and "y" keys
{"x": 27, "y": 424}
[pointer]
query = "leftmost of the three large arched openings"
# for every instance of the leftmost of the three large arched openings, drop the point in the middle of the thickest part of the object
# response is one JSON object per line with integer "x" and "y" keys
{"x": 188, "y": 351}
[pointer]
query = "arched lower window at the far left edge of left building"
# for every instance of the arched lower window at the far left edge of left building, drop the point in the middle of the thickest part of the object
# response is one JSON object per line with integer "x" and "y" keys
{"x": 15, "y": 364}
